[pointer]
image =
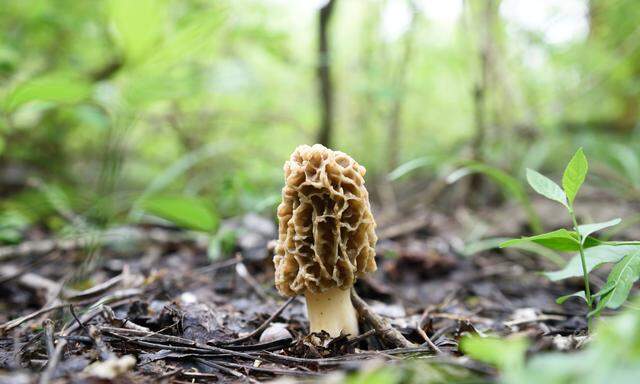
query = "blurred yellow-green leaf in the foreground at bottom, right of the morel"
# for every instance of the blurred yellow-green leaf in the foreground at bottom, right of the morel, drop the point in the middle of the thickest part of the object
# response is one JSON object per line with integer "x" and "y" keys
{"x": 506, "y": 354}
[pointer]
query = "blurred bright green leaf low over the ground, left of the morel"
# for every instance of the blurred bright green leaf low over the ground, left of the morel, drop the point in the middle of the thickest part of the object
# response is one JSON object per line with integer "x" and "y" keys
{"x": 185, "y": 212}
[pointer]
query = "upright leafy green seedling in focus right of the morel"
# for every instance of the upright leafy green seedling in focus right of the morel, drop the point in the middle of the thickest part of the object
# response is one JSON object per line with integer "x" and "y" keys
{"x": 592, "y": 252}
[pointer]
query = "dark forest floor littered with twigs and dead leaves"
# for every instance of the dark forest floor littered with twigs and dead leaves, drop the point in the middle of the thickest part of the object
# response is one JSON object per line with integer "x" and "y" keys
{"x": 148, "y": 304}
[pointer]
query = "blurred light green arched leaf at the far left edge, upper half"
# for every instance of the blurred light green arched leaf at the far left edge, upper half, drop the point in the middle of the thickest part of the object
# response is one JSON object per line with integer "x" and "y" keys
{"x": 57, "y": 88}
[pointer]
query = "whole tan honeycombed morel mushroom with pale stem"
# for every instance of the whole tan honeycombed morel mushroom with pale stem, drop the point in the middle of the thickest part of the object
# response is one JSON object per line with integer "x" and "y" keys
{"x": 326, "y": 236}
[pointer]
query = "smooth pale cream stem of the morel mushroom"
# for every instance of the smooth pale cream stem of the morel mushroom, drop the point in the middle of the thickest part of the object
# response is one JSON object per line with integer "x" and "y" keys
{"x": 332, "y": 311}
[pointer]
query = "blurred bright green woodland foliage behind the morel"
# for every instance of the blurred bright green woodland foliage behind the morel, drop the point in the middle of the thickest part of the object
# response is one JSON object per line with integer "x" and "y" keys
{"x": 112, "y": 108}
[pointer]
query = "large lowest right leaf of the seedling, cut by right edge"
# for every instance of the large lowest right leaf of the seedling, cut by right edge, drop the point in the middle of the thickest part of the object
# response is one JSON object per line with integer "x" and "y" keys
{"x": 619, "y": 283}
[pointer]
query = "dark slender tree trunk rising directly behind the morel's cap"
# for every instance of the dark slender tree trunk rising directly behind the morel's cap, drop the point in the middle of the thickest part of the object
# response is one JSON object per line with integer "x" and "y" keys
{"x": 325, "y": 85}
